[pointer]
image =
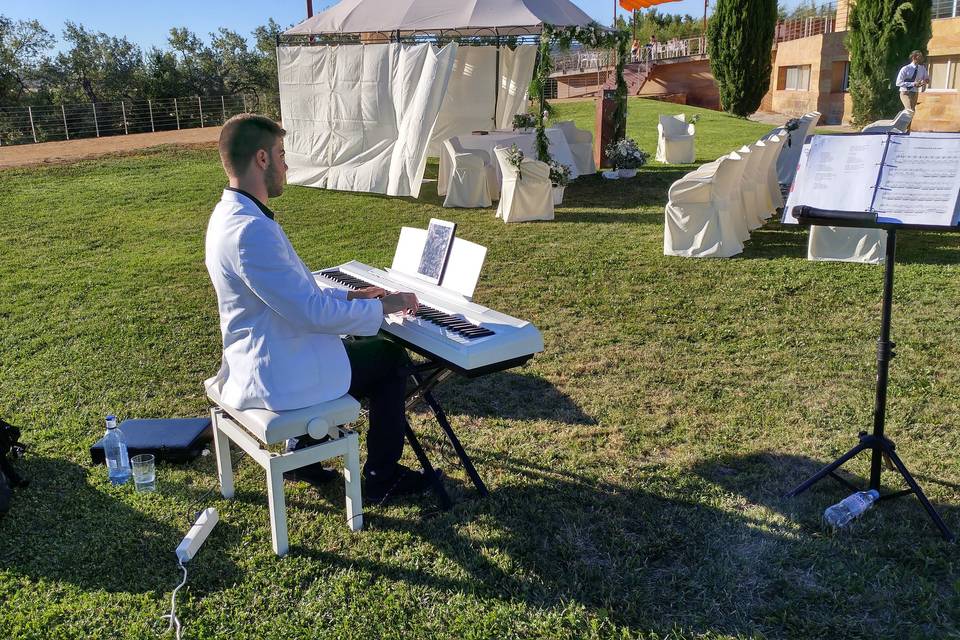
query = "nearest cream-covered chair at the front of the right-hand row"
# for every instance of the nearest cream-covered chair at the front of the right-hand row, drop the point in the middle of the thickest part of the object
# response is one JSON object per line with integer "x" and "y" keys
{"x": 697, "y": 219}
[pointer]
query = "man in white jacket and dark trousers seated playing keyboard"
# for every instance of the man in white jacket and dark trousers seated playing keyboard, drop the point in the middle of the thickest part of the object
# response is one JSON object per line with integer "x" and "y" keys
{"x": 281, "y": 330}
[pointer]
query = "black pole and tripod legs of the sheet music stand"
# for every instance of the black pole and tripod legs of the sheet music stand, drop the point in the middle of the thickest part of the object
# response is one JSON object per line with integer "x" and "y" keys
{"x": 880, "y": 446}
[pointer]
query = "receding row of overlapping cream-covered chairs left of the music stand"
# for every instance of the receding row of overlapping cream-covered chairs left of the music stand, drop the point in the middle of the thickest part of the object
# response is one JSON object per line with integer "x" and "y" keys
{"x": 711, "y": 211}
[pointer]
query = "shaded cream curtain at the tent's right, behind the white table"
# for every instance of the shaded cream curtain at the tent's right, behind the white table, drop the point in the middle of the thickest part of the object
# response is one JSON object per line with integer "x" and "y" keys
{"x": 469, "y": 103}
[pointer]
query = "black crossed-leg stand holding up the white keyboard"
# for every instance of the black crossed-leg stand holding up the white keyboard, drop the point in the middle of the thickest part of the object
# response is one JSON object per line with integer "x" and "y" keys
{"x": 426, "y": 377}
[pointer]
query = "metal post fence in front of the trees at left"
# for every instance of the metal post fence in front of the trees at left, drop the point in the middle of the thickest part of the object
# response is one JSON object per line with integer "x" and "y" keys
{"x": 47, "y": 123}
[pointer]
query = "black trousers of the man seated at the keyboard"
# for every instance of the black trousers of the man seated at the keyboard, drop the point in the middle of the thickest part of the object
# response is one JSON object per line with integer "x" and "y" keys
{"x": 378, "y": 369}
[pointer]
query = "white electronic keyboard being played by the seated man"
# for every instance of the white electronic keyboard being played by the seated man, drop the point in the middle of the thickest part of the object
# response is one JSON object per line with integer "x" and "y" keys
{"x": 470, "y": 338}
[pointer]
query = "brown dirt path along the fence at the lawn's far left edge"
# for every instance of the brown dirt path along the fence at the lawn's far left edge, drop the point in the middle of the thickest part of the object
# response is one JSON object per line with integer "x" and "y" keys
{"x": 67, "y": 151}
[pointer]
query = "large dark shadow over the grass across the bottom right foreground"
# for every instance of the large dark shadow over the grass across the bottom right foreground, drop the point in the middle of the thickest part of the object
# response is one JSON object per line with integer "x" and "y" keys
{"x": 656, "y": 554}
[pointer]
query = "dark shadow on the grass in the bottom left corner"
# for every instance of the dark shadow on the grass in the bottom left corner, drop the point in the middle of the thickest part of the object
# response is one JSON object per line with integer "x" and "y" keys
{"x": 63, "y": 529}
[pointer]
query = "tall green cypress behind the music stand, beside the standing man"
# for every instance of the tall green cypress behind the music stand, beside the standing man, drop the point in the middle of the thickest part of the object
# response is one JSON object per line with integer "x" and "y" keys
{"x": 881, "y": 35}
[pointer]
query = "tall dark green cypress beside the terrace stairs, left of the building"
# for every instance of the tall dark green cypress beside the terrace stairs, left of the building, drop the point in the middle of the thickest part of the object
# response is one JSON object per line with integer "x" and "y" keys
{"x": 740, "y": 37}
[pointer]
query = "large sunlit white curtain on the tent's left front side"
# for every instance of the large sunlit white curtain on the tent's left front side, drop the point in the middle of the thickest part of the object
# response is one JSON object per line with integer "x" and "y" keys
{"x": 358, "y": 118}
